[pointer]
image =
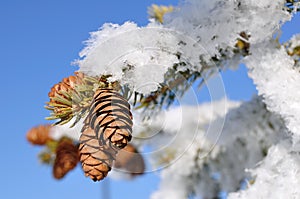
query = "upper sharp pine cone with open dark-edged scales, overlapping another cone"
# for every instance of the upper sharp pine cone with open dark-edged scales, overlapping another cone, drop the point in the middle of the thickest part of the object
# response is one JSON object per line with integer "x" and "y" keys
{"x": 111, "y": 118}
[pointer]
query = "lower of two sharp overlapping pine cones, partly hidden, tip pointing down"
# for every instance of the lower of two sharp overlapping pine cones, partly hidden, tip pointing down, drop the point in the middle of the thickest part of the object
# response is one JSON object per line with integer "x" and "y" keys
{"x": 96, "y": 159}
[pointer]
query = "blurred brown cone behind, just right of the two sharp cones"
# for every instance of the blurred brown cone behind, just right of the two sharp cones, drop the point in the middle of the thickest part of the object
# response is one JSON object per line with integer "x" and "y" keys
{"x": 130, "y": 160}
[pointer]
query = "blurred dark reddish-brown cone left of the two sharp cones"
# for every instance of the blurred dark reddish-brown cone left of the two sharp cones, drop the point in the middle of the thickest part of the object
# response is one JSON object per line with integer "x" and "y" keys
{"x": 66, "y": 158}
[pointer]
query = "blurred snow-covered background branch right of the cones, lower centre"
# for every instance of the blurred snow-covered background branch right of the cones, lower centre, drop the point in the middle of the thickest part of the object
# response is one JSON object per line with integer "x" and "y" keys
{"x": 196, "y": 164}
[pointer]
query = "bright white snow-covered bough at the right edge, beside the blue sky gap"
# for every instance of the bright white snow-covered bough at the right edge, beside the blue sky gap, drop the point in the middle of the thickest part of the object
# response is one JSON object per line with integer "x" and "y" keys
{"x": 276, "y": 79}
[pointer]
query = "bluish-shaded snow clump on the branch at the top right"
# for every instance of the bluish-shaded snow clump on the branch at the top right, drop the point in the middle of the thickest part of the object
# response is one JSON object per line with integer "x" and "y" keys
{"x": 216, "y": 24}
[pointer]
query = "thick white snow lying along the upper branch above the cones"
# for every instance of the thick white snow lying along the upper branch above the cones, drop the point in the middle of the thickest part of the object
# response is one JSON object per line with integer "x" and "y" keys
{"x": 199, "y": 34}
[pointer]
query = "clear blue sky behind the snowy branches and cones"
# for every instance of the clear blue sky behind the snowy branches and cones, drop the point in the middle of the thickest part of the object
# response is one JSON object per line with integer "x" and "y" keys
{"x": 38, "y": 41}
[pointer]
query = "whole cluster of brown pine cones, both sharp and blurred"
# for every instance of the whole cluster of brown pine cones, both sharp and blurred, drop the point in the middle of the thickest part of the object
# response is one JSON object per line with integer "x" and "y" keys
{"x": 107, "y": 129}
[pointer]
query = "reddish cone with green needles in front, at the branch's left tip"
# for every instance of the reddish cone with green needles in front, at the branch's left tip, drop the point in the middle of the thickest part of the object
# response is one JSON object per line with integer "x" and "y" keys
{"x": 73, "y": 95}
